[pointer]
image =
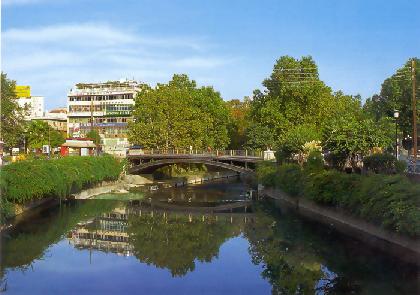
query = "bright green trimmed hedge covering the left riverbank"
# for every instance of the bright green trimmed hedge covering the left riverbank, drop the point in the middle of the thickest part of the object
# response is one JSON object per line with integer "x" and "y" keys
{"x": 25, "y": 181}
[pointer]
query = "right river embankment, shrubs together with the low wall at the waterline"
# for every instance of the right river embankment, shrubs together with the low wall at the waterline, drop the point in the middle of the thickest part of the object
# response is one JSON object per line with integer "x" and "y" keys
{"x": 379, "y": 209}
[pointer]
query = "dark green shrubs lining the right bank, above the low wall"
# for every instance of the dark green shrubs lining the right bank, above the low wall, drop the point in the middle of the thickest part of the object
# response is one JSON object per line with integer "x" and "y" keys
{"x": 391, "y": 201}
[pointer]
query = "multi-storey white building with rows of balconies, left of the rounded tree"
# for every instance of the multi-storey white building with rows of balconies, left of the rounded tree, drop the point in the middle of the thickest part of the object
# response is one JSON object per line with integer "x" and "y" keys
{"x": 104, "y": 107}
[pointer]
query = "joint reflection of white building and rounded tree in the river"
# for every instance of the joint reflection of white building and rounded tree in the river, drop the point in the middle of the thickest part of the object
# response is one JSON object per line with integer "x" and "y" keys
{"x": 165, "y": 239}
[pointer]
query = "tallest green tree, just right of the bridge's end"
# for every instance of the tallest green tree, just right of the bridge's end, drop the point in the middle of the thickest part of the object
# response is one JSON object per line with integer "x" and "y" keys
{"x": 294, "y": 95}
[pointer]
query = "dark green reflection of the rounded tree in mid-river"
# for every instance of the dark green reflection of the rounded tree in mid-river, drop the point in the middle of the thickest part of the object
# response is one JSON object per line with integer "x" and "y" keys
{"x": 176, "y": 243}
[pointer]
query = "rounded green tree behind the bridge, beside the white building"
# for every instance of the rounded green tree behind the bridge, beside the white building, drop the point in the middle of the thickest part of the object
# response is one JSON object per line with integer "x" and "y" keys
{"x": 179, "y": 115}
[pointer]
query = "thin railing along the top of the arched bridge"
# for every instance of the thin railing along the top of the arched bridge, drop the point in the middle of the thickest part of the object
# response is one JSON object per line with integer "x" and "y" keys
{"x": 208, "y": 152}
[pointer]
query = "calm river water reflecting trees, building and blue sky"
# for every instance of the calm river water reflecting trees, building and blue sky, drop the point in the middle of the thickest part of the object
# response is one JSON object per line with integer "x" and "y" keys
{"x": 207, "y": 239}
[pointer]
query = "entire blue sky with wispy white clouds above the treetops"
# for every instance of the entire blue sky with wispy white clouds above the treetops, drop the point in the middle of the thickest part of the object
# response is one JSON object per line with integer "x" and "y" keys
{"x": 232, "y": 45}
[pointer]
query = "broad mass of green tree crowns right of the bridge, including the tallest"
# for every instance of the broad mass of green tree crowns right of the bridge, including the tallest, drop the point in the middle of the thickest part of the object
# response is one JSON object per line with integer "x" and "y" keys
{"x": 297, "y": 108}
